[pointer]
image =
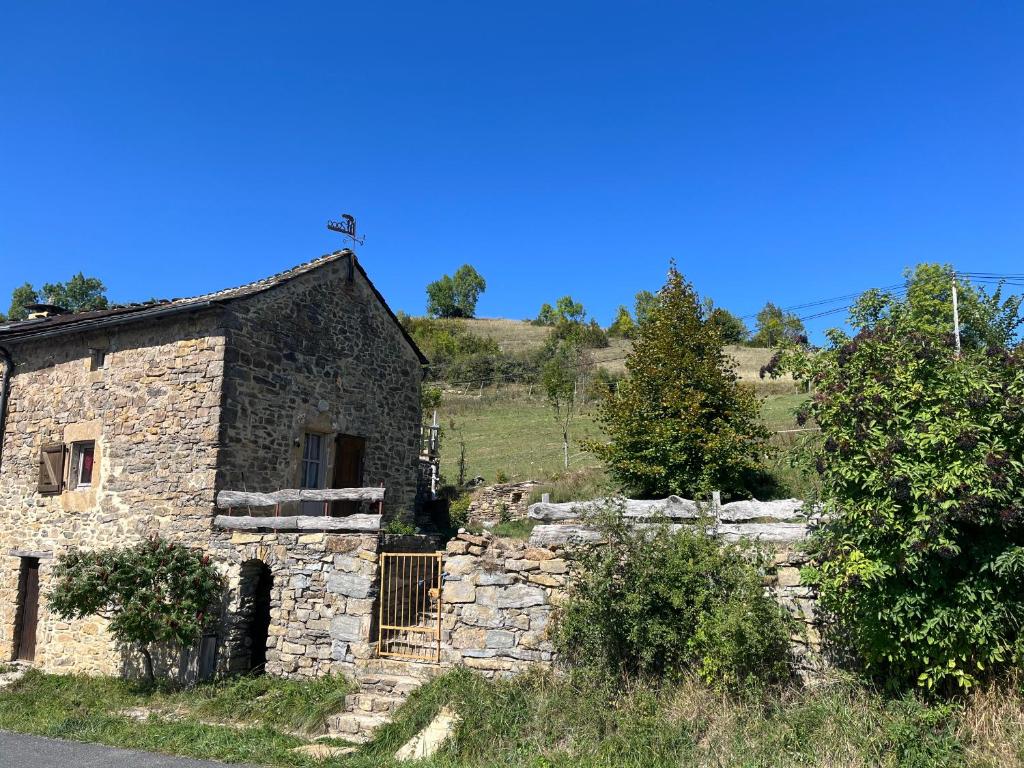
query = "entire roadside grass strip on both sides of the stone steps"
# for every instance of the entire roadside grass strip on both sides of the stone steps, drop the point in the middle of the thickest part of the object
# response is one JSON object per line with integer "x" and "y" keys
{"x": 544, "y": 720}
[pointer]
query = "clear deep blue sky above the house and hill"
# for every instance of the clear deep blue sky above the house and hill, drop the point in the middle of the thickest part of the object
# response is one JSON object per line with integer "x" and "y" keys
{"x": 786, "y": 151}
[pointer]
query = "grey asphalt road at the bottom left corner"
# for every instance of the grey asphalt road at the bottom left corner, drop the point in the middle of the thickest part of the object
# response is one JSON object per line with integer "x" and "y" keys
{"x": 19, "y": 751}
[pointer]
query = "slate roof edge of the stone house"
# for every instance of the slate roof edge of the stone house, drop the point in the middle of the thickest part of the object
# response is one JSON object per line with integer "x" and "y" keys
{"x": 61, "y": 325}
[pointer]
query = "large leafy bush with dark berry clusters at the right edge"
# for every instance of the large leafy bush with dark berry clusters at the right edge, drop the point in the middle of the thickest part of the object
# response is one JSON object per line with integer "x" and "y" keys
{"x": 922, "y": 466}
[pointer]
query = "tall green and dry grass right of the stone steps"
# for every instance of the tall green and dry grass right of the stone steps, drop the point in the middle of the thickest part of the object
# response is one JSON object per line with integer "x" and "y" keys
{"x": 547, "y": 720}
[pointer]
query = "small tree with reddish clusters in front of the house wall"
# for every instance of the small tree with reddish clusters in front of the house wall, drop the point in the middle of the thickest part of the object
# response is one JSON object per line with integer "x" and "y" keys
{"x": 153, "y": 592}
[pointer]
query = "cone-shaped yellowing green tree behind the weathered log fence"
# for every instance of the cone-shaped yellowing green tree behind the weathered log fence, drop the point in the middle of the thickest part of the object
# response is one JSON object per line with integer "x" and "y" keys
{"x": 680, "y": 422}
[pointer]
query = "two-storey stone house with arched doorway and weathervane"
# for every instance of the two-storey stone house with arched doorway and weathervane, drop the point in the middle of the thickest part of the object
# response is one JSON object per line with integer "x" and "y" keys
{"x": 124, "y": 423}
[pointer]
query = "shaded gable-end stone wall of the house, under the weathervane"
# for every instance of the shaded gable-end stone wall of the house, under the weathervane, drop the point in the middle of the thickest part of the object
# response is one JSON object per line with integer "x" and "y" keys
{"x": 320, "y": 355}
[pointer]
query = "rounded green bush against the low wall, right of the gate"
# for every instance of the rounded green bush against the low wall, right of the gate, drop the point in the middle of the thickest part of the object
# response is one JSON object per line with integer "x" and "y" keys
{"x": 663, "y": 604}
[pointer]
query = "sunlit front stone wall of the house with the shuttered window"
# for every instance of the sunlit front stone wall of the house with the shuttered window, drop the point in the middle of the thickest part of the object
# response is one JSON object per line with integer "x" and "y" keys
{"x": 153, "y": 411}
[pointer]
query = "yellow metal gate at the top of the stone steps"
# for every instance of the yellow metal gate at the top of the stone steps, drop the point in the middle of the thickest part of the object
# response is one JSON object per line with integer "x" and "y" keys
{"x": 410, "y": 621}
